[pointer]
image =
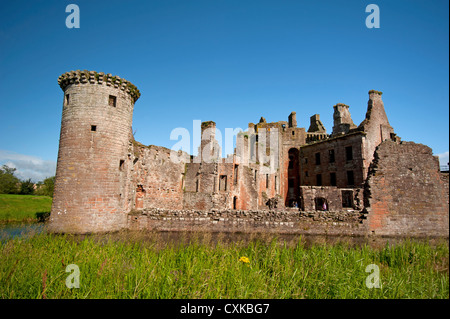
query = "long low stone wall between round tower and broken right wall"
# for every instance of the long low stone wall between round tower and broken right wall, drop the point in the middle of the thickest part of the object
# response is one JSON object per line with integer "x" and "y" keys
{"x": 288, "y": 221}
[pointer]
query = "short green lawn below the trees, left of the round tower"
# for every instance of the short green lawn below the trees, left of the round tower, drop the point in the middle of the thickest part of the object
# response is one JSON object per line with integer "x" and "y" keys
{"x": 15, "y": 208}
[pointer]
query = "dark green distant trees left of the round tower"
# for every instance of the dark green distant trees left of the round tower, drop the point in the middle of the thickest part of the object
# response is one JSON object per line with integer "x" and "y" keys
{"x": 10, "y": 184}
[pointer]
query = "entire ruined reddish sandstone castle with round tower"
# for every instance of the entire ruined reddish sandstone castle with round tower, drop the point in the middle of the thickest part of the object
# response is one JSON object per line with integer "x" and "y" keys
{"x": 358, "y": 180}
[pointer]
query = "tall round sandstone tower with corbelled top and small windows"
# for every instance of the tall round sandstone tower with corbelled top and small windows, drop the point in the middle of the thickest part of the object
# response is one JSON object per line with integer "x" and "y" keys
{"x": 91, "y": 171}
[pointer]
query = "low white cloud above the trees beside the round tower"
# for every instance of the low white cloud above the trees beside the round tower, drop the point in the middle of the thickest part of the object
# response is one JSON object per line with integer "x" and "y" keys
{"x": 28, "y": 166}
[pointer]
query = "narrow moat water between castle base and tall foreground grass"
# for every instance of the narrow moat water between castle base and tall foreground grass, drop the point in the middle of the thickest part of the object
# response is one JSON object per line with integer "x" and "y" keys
{"x": 26, "y": 230}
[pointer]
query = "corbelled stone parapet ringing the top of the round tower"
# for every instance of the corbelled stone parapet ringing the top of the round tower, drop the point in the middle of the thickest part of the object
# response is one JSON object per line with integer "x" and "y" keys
{"x": 100, "y": 78}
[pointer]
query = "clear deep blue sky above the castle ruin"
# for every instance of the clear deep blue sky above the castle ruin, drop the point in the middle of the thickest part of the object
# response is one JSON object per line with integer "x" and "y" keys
{"x": 223, "y": 60}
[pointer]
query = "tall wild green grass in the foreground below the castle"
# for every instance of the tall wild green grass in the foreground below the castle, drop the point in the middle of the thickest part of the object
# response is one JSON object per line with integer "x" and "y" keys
{"x": 124, "y": 268}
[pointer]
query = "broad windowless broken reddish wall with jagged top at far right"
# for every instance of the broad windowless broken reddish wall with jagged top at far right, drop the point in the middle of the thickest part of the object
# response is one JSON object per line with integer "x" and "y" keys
{"x": 404, "y": 194}
